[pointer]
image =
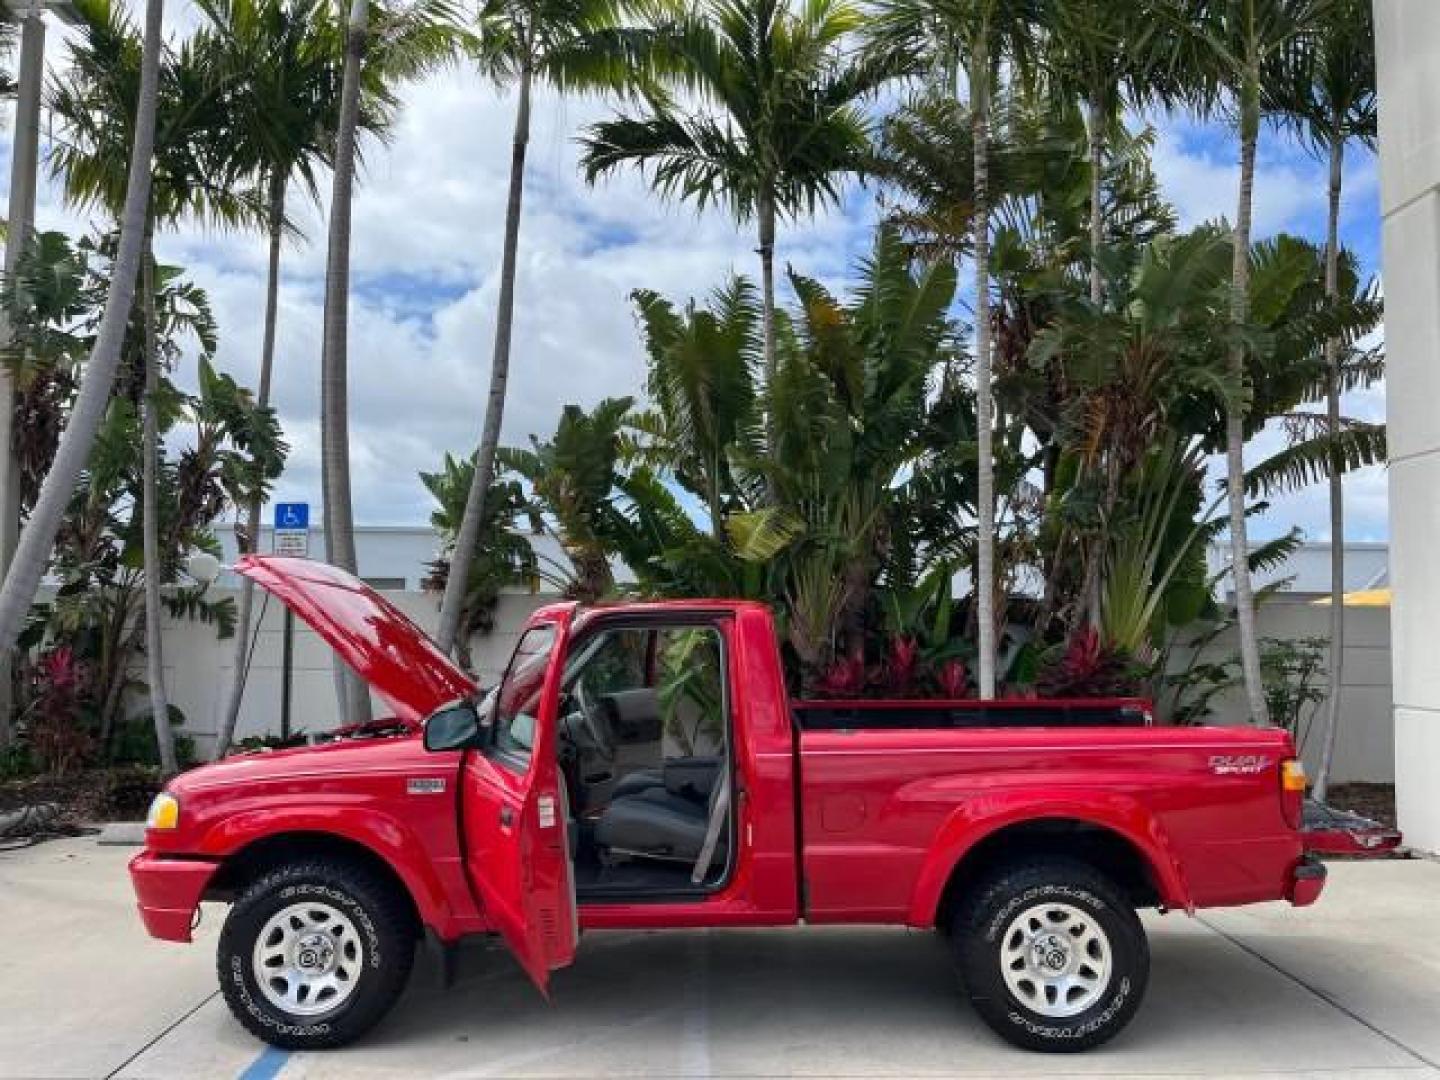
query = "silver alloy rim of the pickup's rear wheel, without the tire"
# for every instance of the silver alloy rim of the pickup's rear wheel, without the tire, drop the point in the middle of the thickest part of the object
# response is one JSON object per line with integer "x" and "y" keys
{"x": 1056, "y": 960}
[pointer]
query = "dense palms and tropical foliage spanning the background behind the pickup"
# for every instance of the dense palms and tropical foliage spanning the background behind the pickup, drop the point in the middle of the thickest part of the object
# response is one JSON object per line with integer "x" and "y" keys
{"x": 983, "y": 460}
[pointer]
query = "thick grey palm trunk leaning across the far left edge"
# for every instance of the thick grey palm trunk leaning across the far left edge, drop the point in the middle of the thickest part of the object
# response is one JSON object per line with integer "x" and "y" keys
{"x": 38, "y": 539}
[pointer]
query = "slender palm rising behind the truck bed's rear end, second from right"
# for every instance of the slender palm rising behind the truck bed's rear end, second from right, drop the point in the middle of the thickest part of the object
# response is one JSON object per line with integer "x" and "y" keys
{"x": 1220, "y": 51}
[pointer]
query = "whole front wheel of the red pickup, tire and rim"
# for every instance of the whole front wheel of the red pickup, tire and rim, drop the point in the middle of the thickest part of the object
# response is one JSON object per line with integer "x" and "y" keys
{"x": 315, "y": 954}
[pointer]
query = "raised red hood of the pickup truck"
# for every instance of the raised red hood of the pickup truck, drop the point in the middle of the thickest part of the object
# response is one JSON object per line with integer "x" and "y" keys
{"x": 371, "y": 634}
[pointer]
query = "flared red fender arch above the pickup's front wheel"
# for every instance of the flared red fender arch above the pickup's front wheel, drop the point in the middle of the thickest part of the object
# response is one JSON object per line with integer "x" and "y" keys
{"x": 384, "y": 834}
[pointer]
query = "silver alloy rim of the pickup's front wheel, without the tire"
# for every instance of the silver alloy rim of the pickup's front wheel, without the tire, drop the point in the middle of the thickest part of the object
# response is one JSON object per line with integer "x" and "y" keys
{"x": 307, "y": 960}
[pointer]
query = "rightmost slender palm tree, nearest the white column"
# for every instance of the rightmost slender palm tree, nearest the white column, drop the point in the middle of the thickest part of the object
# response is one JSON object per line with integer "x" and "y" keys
{"x": 1328, "y": 94}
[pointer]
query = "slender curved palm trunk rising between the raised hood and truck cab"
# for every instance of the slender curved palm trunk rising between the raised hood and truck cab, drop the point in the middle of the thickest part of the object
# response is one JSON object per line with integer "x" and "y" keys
{"x": 469, "y": 538}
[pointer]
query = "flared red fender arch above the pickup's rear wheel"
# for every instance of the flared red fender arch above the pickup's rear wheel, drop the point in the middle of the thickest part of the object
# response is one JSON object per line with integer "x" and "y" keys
{"x": 997, "y": 810}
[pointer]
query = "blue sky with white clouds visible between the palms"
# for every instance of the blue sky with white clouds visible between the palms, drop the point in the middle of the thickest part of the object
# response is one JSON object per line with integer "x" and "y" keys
{"x": 428, "y": 221}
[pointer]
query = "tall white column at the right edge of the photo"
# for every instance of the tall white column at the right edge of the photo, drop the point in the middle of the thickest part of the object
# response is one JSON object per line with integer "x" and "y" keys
{"x": 1408, "y": 37}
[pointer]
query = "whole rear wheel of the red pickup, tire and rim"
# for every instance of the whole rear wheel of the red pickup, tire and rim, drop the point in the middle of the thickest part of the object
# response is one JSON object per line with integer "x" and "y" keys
{"x": 1059, "y": 928}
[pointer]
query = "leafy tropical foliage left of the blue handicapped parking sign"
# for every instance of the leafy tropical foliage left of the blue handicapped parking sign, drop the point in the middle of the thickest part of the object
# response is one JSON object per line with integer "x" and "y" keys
{"x": 81, "y": 646}
